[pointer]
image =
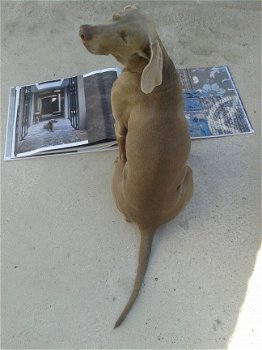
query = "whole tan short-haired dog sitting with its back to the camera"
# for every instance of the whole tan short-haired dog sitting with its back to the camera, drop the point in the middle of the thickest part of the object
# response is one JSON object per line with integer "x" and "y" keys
{"x": 151, "y": 182}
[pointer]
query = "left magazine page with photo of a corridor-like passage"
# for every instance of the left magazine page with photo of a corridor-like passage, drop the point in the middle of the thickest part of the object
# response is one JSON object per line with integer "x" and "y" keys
{"x": 60, "y": 114}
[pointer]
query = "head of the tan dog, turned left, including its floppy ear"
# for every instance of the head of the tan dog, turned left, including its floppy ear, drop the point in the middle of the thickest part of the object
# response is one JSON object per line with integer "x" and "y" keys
{"x": 132, "y": 39}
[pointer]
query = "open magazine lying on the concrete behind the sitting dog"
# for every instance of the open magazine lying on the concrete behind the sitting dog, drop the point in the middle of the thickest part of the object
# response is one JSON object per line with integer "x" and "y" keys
{"x": 71, "y": 115}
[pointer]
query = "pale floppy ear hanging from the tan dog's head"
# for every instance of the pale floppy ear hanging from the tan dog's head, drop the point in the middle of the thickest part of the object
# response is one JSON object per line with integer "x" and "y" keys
{"x": 152, "y": 73}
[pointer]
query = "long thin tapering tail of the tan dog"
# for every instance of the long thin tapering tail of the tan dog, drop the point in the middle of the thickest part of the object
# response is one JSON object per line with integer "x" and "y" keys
{"x": 144, "y": 253}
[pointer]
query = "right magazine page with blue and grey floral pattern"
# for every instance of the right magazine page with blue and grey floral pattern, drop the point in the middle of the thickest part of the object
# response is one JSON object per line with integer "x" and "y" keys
{"x": 213, "y": 107}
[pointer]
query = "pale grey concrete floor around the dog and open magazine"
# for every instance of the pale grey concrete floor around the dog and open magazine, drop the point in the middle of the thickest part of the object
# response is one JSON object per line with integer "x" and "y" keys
{"x": 69, "y": 258}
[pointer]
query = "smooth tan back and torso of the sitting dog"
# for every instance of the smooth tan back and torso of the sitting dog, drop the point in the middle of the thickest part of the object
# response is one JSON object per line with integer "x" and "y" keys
{"x": 157, "y": 147}
